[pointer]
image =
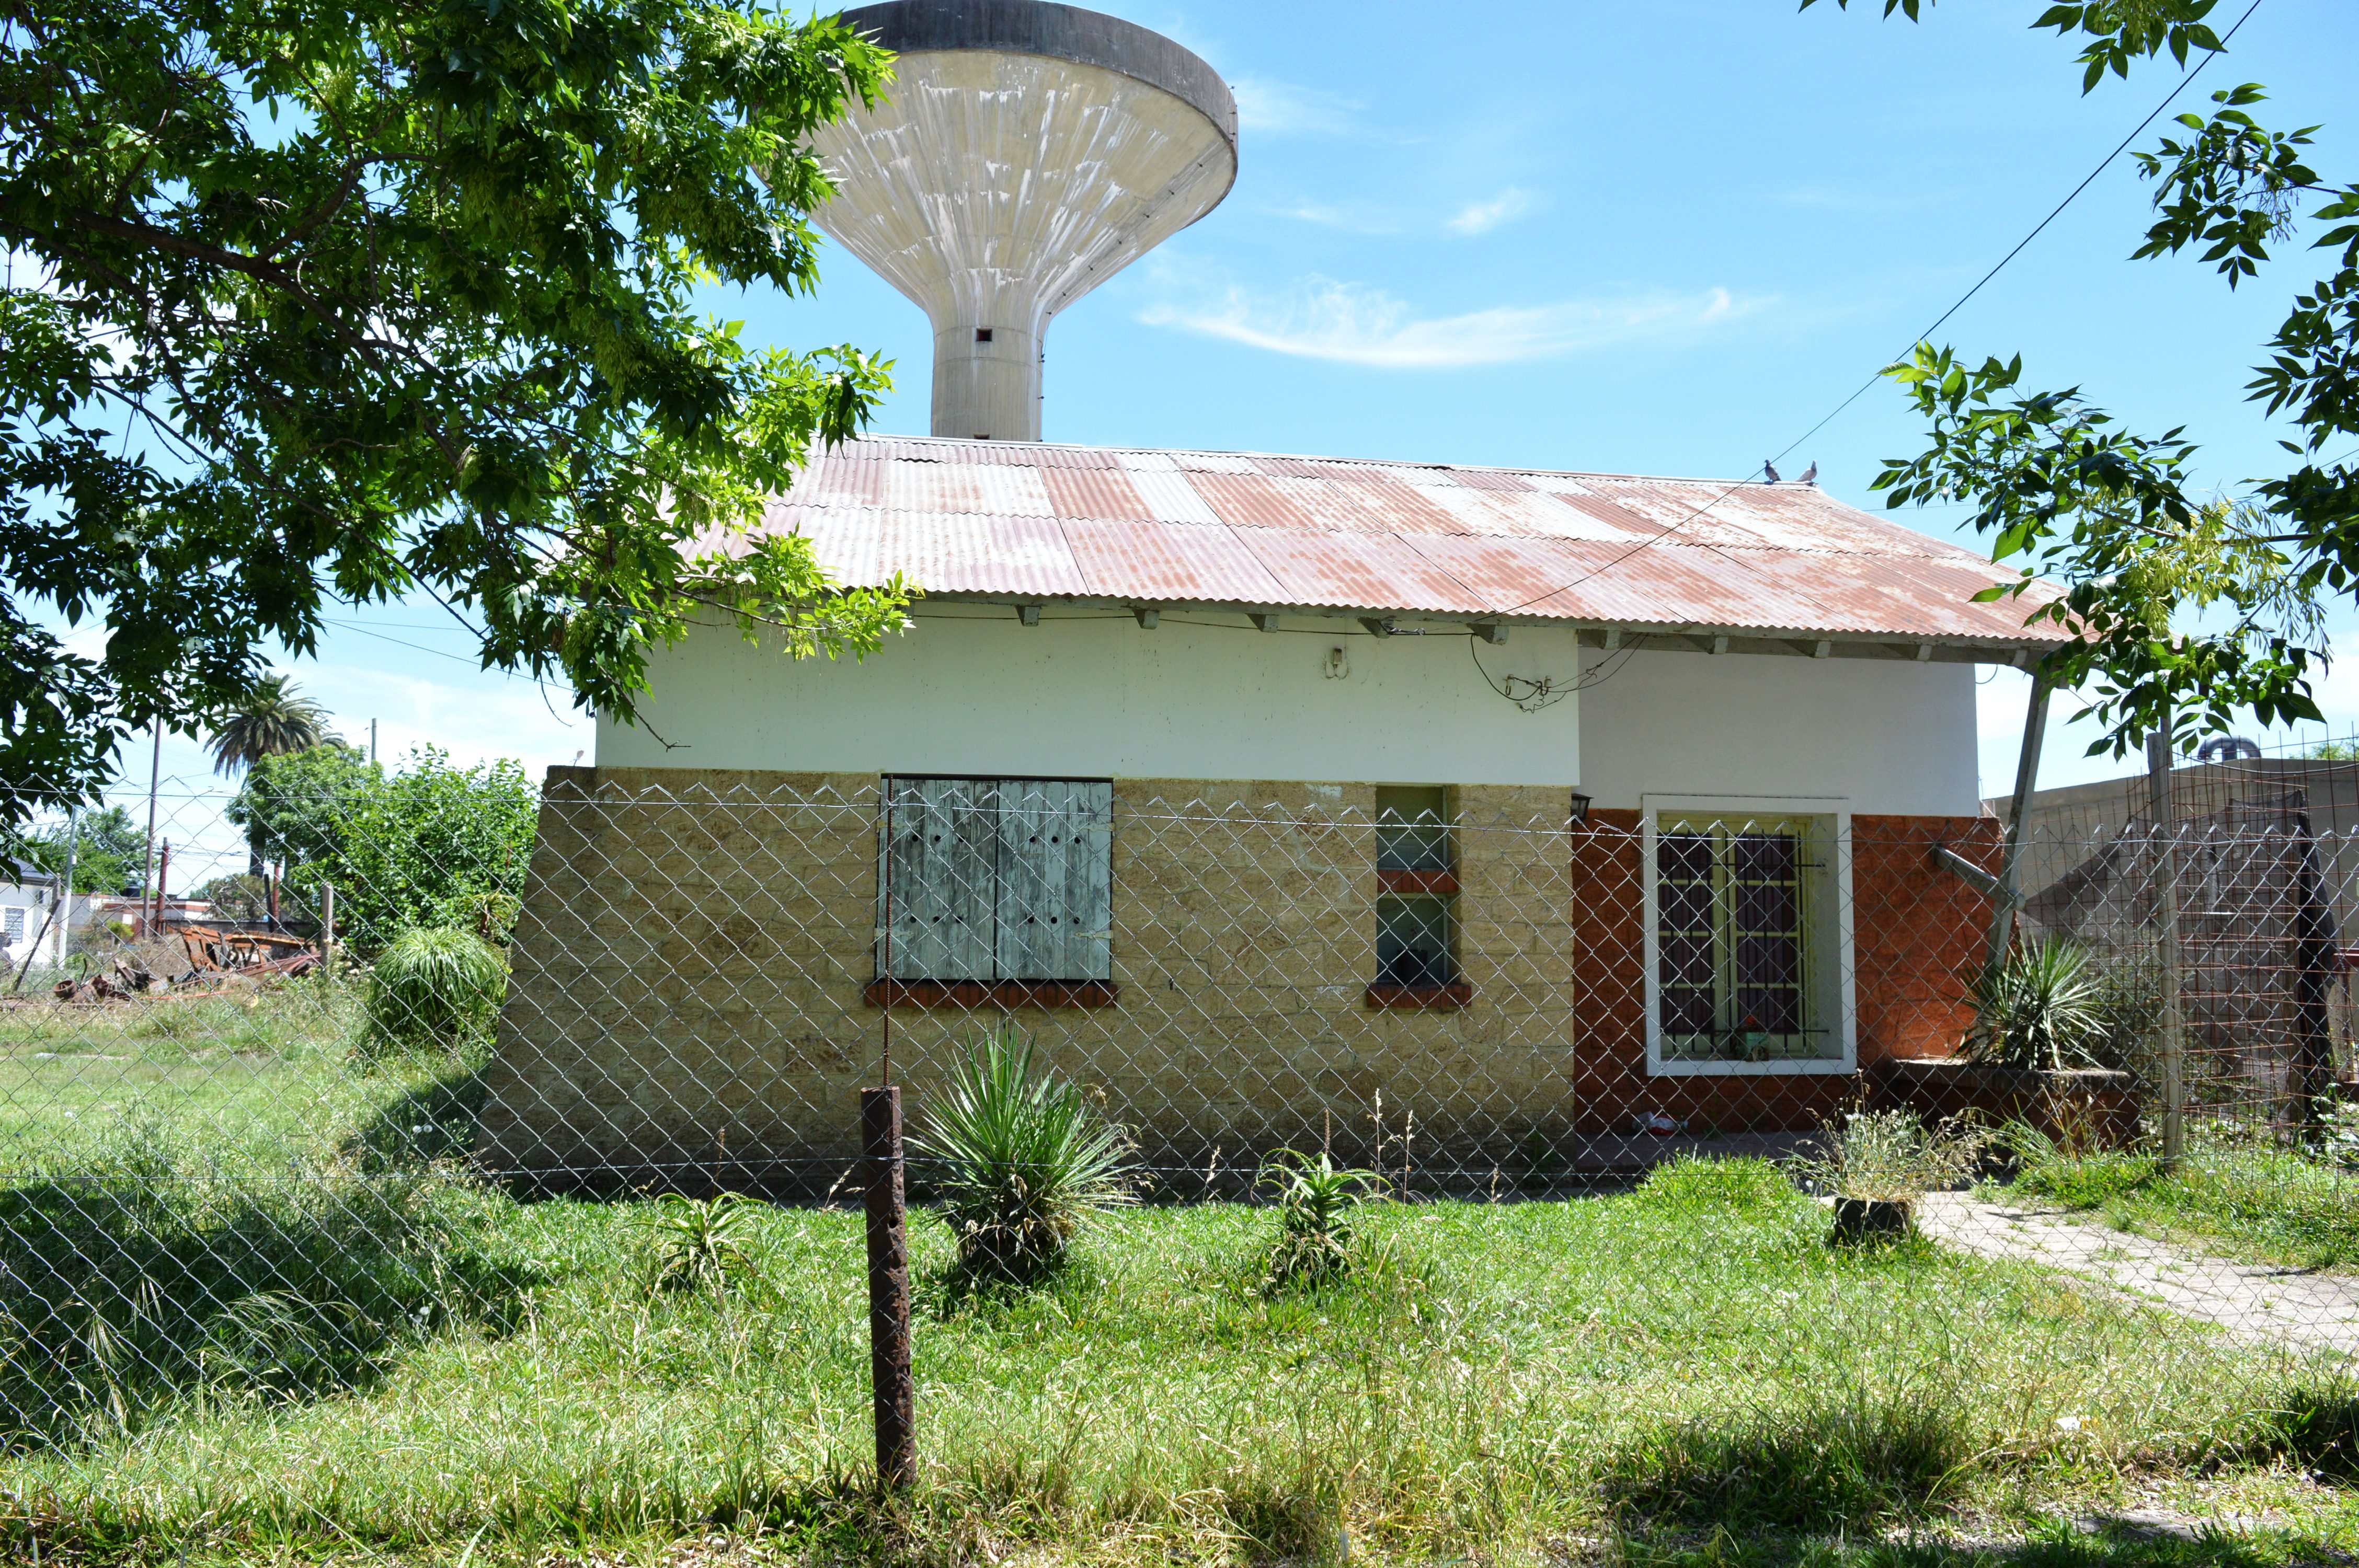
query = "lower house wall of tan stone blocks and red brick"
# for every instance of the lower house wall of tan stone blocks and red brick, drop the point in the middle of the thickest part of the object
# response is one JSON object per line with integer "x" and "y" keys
{"x": 688, "y": 1003}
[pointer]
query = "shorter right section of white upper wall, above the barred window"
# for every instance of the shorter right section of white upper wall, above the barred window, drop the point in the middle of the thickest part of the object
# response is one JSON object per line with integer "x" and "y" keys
{"x": 1891, "y": 737}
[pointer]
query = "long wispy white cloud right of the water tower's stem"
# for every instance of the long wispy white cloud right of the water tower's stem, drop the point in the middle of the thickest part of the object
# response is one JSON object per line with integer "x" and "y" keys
{"x": 1367, "y": 327}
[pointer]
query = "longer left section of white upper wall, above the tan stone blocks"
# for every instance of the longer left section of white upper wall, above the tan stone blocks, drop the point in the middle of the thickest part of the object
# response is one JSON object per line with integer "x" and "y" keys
{"x": 1091, "y": 694}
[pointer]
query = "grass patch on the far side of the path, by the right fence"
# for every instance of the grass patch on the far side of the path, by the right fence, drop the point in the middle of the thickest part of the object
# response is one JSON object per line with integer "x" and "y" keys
{"x": 2242, "y": 1197}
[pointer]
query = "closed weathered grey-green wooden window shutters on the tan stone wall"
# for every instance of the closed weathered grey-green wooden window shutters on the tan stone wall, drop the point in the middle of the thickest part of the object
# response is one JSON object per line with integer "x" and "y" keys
{"x": 997, "y": 881}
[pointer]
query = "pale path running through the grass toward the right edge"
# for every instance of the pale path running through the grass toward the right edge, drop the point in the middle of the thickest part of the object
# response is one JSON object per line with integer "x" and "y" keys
{"x": 2259, "y": 1300}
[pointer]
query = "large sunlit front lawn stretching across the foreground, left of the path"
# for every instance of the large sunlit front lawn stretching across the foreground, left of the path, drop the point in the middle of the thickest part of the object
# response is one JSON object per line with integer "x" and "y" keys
{"x": 357, "y": 1348}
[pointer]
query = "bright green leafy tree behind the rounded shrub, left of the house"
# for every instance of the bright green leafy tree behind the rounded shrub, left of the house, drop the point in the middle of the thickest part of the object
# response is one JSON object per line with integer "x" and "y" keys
{"x": 433, "y": 845}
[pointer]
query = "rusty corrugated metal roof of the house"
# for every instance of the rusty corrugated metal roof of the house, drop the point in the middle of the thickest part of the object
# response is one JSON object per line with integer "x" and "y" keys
{"x": 1235, "y": 529}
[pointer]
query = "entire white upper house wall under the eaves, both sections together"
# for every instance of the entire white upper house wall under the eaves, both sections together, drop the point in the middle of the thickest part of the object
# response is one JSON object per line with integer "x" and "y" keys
{"x": 1091, "y": 694}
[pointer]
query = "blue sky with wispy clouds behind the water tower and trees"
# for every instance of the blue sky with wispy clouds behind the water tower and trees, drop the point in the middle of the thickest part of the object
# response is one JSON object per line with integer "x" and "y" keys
{"x": 1657, "y": 237}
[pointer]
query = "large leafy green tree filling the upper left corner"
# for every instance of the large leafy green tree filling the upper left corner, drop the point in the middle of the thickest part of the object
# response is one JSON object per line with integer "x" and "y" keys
{"x": 334, "y": 303}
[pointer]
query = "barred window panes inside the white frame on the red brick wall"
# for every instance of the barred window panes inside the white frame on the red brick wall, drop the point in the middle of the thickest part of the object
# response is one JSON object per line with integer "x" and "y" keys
{"x": 1735, "y": 942}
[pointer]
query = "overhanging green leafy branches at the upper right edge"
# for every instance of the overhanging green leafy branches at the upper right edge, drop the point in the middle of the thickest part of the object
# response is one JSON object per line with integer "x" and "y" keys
{"x": 2183, "y": 610}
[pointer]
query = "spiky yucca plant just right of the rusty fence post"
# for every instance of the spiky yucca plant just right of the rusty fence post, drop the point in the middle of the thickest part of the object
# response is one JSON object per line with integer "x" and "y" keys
{"x": 1020, "y": 1161}
